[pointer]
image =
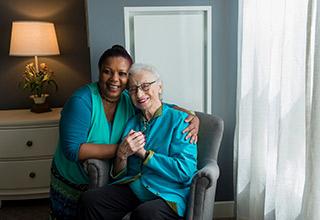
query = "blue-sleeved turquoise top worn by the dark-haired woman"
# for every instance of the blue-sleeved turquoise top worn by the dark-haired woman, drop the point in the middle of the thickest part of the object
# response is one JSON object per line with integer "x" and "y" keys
{"x": 99, "y": 131}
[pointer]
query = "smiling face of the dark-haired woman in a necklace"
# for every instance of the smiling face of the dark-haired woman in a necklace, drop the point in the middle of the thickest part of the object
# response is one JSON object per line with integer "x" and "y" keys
{"x": 113, "y": 78}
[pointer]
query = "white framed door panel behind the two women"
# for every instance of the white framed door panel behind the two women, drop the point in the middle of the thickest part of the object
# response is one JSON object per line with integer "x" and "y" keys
{"x": 177, "y": 41}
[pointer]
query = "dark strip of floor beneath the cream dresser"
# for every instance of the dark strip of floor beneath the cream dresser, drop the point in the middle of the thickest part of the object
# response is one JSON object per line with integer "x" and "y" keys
{"x": 36, "y": 209}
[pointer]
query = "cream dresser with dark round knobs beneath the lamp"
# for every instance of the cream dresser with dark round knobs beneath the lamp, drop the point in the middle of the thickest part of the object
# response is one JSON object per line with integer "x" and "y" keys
{"x": 27, "y": 143}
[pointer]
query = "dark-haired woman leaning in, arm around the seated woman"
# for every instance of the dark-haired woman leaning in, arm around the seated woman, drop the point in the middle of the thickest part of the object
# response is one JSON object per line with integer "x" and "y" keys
{"x": 91, "y": 125}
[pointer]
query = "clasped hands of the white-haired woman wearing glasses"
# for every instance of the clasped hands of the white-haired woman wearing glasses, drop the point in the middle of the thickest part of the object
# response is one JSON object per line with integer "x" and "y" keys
{"x": 134, "y": 142}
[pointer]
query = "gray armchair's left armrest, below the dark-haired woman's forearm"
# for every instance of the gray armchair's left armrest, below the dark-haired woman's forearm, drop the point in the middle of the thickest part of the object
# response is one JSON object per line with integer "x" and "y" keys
{"x": 98, "y": 172}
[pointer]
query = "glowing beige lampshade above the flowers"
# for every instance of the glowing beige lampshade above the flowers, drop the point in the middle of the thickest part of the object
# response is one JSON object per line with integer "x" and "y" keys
{"x": 30, "y": 38}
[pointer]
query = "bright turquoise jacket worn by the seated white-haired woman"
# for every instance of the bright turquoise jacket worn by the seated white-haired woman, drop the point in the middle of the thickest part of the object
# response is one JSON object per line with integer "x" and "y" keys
{"x": 168, "y": 170}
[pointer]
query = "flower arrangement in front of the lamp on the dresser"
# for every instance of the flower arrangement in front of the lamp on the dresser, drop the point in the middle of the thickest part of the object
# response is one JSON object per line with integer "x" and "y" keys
{"x": 37, "y": 82}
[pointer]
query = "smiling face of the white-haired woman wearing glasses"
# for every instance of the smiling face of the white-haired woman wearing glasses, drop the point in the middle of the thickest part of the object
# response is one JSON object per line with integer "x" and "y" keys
{"x": 148, "y": 101}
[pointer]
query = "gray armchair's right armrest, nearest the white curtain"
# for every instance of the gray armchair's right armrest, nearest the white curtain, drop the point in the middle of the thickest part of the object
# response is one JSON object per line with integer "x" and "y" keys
{"x": 202, "y": 192}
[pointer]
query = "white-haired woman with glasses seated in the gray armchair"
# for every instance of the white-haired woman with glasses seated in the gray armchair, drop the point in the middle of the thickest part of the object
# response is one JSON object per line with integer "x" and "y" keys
{"x": 154, "y": 164}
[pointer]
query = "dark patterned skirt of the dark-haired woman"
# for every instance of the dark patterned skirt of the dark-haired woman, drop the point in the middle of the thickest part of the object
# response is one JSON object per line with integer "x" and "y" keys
{"x": 64, "y": 196}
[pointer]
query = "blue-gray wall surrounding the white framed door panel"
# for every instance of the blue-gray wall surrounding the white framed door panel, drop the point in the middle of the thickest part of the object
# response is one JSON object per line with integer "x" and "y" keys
{"x": 106, "y": 27}
